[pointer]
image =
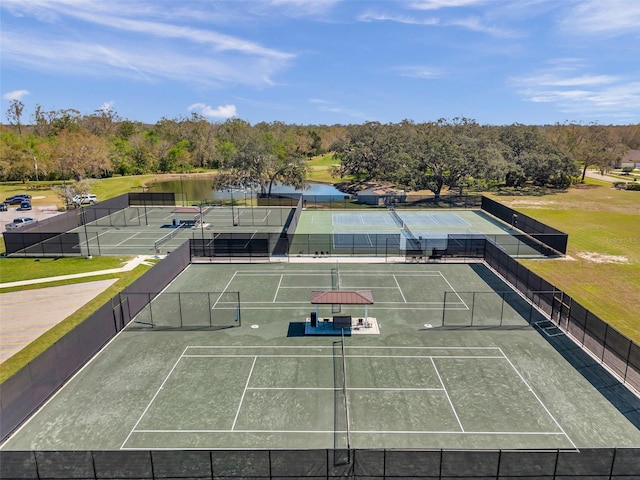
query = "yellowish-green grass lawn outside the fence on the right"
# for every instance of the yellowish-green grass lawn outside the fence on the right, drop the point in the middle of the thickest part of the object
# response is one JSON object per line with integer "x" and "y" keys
{"x": 602, "y": 267}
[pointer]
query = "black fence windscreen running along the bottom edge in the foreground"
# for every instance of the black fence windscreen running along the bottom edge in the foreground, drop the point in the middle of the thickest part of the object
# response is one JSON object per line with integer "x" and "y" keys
{"x": 600, "y": 463}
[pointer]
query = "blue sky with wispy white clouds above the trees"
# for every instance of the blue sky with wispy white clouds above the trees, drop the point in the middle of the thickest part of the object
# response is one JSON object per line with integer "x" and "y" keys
{"x": 326, "y": 62}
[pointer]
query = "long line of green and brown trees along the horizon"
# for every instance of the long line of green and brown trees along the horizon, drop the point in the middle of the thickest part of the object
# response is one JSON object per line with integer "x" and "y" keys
{"x": 437, "y": 155}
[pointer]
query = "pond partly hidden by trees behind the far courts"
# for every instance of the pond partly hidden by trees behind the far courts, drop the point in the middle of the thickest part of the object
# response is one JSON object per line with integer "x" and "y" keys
{"x": 197, "y": 189}
